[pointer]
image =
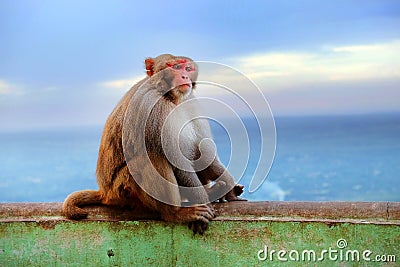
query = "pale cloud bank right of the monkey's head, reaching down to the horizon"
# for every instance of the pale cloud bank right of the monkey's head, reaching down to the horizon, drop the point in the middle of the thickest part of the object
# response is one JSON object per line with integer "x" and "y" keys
{"x": 332, "y": 79}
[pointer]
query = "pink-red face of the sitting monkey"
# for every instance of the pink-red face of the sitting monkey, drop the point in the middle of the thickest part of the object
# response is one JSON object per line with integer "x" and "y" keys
{"x": 185, "y": 74}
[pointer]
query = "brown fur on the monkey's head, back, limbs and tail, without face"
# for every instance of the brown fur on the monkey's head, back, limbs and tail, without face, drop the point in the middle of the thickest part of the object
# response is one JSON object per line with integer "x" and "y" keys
{"x": 118, "y": 187}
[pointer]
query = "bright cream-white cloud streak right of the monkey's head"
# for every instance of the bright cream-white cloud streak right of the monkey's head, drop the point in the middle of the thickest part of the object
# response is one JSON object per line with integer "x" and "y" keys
{"x": 330, "y": 63}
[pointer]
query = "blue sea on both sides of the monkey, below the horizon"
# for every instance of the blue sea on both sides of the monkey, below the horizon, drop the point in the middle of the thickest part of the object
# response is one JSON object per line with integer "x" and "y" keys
{"x": 317, "y": 158}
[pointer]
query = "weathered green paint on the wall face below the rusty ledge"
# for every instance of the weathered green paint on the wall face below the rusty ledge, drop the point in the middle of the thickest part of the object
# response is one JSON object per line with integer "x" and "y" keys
{"x": 49, "y": 240}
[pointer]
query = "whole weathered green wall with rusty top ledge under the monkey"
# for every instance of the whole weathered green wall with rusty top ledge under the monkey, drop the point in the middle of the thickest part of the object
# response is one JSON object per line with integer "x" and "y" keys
{"x": 243, "y": 234}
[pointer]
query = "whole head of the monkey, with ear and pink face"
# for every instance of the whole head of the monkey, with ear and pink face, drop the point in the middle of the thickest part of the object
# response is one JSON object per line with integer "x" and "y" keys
{"x": 177, "y": 73}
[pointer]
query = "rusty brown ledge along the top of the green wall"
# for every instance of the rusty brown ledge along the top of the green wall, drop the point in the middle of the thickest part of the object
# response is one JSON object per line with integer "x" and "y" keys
{"x": 353, "y": 212}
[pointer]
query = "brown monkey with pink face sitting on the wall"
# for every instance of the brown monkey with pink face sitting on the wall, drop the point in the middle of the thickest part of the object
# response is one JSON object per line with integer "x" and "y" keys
{"x": 133, "y": 167}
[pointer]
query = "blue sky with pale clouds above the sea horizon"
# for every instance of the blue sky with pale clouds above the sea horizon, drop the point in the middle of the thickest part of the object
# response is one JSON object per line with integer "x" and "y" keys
{"x": 69, "y": 62}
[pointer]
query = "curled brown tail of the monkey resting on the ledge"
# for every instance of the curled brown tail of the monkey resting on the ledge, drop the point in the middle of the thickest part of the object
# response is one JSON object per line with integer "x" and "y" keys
{"x": 71, "y": 206}
